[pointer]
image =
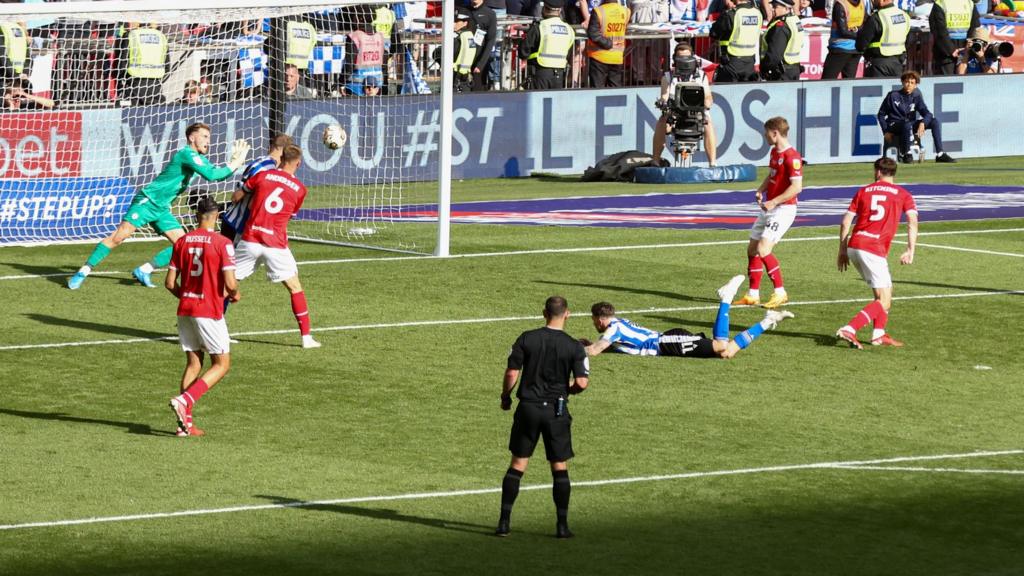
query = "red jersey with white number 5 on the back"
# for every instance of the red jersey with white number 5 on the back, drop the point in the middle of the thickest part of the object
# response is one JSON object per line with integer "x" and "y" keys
{"x": 878, "y": 209}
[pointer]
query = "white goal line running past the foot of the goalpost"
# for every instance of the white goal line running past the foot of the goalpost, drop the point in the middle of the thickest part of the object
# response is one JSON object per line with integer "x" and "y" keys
{"x": 547, "y": 252}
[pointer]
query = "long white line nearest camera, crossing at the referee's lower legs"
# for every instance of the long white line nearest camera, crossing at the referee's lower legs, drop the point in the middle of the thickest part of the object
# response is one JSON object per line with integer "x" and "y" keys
{"x": 850, "y": 465}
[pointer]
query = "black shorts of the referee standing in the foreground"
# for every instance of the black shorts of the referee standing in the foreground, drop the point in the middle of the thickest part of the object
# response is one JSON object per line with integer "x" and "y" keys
{"x": 533, "y": 421}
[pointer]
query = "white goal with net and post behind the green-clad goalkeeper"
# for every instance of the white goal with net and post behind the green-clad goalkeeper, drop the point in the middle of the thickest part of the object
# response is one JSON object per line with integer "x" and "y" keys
{"x": 100, "y": 101}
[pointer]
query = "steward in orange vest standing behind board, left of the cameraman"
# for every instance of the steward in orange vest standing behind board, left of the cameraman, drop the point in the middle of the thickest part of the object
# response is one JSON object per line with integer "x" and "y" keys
{"x": 607, "y": 45}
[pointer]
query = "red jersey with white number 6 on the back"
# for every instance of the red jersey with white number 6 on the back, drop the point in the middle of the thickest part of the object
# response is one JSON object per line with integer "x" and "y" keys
{"x": 277, "y": 197}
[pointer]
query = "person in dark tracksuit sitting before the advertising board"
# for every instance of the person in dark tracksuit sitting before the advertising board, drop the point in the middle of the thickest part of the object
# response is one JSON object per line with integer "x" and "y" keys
{"x": 904, "y": 116}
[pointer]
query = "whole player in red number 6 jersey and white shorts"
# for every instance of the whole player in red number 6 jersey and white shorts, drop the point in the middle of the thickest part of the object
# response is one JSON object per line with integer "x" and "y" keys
{"x": 277, "y": 196}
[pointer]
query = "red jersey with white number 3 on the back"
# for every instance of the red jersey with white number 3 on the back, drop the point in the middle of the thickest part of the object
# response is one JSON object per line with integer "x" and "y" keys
{"x": 201, "y": 257}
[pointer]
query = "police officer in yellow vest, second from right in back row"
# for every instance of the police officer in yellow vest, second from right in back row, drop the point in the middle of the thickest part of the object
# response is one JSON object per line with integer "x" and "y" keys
{"x": 883, "y": 40}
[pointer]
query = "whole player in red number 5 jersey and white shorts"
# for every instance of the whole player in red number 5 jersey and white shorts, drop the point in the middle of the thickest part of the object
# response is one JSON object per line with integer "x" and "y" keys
{"x": 877, "y": 209}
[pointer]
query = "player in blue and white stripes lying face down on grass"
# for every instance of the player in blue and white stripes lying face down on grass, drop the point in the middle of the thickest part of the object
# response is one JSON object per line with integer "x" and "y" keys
{"x": 619, "y": 335}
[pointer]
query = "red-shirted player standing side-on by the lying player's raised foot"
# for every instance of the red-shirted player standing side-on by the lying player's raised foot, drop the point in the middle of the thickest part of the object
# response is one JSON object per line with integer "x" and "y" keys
{"x": 778, "y": 198}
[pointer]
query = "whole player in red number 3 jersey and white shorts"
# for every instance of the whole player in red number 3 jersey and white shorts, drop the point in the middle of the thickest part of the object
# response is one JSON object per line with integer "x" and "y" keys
{"x": 204, "y": 261}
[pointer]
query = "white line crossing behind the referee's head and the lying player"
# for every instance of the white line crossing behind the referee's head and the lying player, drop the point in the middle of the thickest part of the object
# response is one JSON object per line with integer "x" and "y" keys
{"x": 419, "y": 323}
